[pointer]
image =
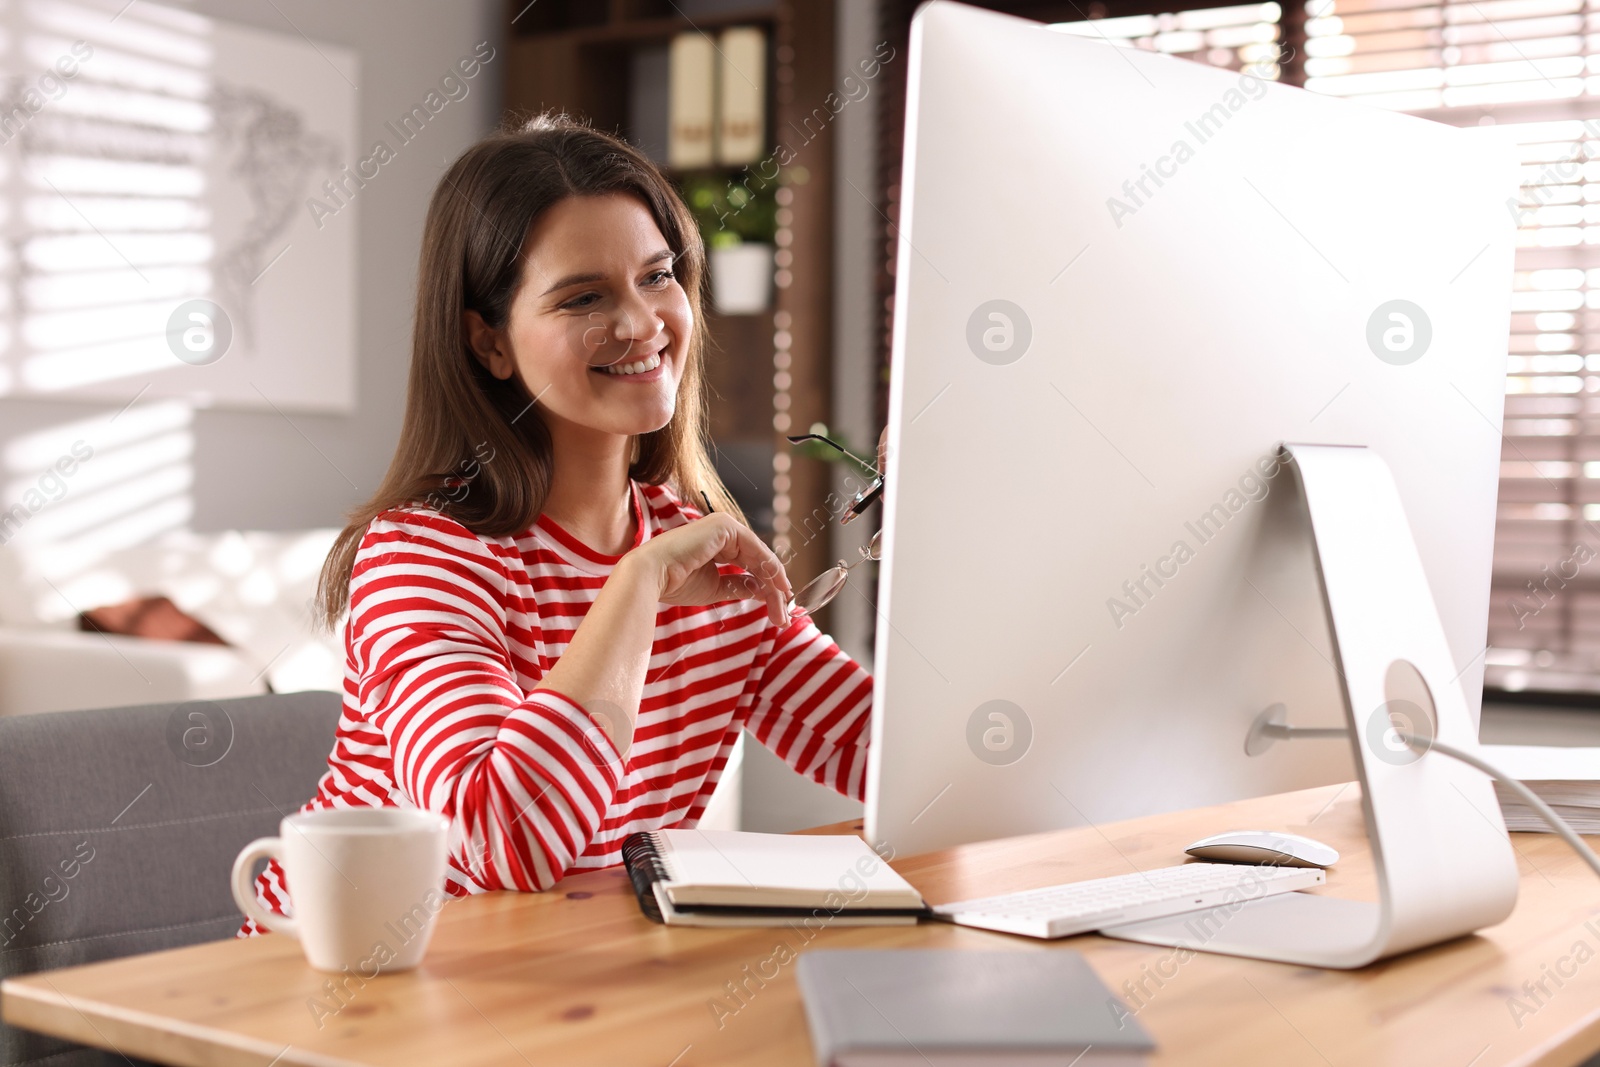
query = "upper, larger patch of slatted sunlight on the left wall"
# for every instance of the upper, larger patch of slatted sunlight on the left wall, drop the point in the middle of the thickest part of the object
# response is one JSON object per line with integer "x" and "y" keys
{"x": 111, "y": 182}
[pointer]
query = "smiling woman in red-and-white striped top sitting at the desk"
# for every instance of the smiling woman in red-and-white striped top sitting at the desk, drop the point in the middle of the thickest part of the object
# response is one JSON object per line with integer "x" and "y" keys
{"x": 546, "y": 641}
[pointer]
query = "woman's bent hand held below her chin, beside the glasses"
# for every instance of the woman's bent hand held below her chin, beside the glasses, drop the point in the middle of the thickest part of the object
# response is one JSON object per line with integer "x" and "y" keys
{"x": 684, "y": 562}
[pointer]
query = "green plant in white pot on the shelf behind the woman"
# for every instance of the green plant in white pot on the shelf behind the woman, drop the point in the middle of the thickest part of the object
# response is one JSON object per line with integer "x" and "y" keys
{"x": 740, "y": 225}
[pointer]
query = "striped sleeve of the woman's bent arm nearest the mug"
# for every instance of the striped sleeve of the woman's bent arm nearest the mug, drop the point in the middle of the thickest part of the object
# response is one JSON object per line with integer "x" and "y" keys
{"x": 526, "y": 778}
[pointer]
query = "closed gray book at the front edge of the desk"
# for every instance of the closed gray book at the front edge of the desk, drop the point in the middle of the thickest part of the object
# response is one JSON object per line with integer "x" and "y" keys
{"x": 954, "y": 1009}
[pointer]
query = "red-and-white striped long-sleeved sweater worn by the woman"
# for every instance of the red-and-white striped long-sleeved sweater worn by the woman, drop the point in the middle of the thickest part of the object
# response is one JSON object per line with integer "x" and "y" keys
{"x": 447, "y": 641}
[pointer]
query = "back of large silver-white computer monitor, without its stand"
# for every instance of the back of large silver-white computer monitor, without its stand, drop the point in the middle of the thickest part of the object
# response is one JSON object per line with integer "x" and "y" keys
{"x": 1124, "y": 281}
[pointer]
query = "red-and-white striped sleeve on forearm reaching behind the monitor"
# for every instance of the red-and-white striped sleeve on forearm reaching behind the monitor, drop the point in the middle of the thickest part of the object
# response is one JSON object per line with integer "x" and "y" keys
{"x": 814, "y": 705}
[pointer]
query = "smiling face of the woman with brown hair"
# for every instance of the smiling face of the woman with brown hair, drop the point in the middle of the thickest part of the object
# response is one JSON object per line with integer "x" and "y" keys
{"x": 599, "y": 330}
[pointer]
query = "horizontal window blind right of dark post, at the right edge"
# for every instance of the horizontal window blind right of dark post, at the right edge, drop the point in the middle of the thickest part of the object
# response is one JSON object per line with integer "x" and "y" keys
{"x": 1534, "y": 70}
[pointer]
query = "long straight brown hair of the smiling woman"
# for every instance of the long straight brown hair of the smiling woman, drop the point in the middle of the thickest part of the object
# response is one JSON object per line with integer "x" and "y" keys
{"x": 457, "y": 414}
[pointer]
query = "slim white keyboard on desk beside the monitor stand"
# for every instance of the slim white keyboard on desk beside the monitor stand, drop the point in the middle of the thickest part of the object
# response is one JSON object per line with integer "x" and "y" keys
{"x": 1084, "y": 906}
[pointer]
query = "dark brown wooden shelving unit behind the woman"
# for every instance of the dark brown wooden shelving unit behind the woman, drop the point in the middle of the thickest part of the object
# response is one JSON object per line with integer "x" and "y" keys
{"x": 577, "y": 57}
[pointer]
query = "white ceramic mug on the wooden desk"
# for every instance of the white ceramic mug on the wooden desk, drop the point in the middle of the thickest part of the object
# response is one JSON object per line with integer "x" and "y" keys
{"x": 366, "y": 885}
